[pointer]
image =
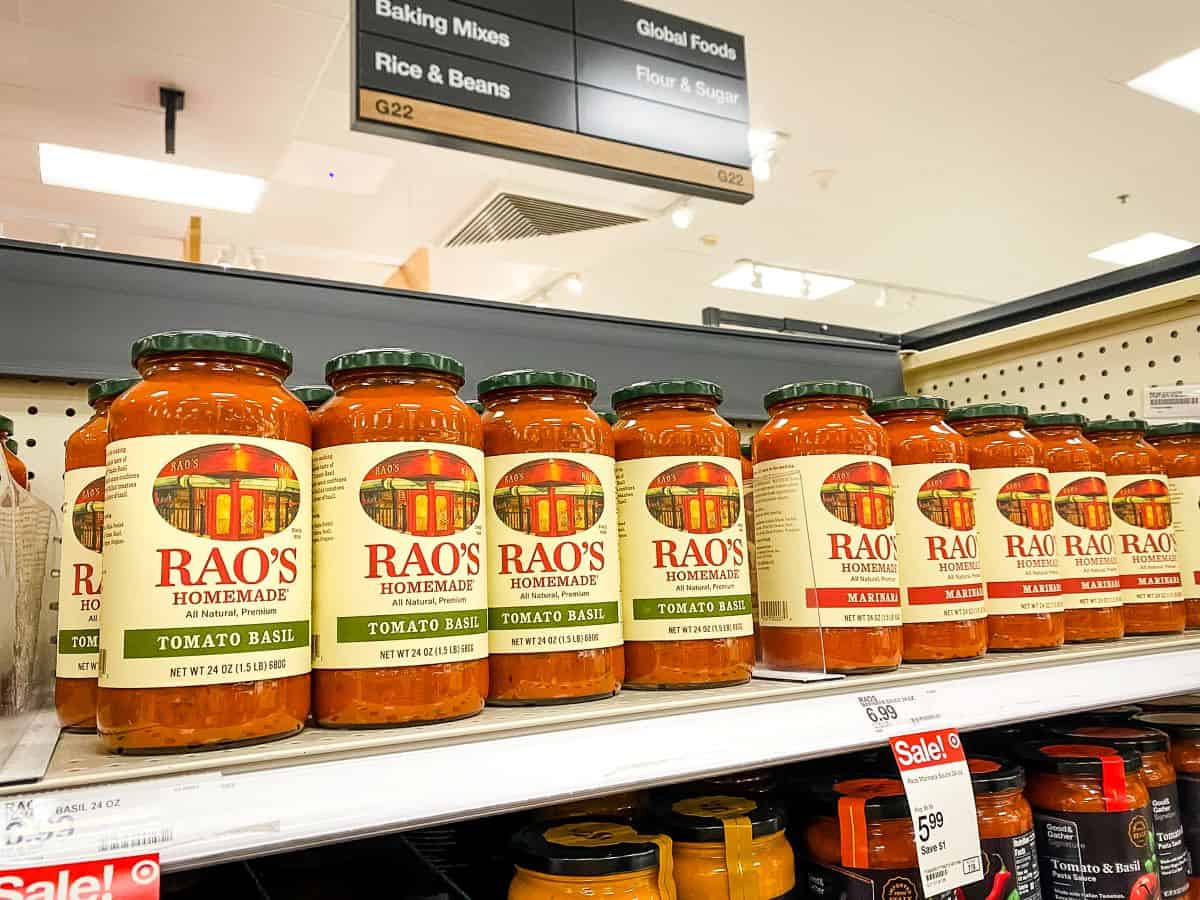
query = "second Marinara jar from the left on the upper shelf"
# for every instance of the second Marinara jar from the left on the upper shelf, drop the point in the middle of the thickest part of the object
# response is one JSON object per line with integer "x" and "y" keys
{"x": 941, "y": 581}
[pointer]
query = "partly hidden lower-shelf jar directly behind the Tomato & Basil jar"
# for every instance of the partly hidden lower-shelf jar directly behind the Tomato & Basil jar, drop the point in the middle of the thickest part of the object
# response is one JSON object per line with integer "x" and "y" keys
{"x": 1159, "y": 773}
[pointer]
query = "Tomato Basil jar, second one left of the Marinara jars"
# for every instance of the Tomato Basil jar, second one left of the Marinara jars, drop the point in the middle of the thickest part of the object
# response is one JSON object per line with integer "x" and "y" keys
{"x": 554, "y": 573}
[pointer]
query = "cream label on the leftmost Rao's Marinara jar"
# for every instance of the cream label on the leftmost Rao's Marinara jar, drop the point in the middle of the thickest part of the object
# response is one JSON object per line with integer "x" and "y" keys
{"x": 826, "y": 542}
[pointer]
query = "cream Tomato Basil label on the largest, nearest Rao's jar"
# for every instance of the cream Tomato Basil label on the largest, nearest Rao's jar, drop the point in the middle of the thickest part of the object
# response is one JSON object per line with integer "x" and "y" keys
{"x": 207, "y": 562}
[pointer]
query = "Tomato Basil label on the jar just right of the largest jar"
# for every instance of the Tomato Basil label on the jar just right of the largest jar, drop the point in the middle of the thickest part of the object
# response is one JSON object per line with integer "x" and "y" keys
{"x": 398, "y": 533}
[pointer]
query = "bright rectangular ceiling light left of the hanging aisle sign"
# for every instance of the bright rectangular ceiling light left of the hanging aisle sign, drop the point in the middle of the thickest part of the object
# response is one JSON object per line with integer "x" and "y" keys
{"x": 148, "y": 179}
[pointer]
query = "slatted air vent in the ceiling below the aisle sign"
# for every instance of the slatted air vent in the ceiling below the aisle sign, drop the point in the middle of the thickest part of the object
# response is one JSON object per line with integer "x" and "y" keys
{"x": 513, "y": 217}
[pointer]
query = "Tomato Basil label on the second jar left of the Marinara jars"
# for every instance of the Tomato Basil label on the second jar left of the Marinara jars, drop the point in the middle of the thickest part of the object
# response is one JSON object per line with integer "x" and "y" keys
{"x": 554, "y": 580}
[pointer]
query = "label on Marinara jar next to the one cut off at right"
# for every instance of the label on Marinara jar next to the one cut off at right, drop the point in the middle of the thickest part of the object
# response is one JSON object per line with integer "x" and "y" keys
{"x": 1144, "y": 536}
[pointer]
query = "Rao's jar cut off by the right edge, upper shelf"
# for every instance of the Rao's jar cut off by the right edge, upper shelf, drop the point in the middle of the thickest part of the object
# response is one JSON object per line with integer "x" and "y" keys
{"x": 1180, "y": 446}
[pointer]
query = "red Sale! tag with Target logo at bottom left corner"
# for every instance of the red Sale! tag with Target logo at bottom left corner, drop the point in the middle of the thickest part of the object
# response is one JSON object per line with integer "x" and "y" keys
{"x": 124, "y": 879}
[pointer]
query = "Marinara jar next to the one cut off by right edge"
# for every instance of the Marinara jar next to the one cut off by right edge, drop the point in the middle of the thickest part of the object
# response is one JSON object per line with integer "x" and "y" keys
{"x": 1151, "y": 586}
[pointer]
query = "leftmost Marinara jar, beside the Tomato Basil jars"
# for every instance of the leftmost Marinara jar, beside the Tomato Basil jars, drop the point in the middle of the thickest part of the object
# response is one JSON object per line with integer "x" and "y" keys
{"x": 829, "y": 584}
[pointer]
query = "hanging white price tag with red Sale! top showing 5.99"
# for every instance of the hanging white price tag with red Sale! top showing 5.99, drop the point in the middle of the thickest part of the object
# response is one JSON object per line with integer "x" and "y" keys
{"x": 938, "y": 783}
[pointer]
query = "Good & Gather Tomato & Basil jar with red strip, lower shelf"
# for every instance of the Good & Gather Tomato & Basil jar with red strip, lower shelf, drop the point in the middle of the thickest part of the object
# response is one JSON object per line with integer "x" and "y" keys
{"x": 1094, "y": 821}
